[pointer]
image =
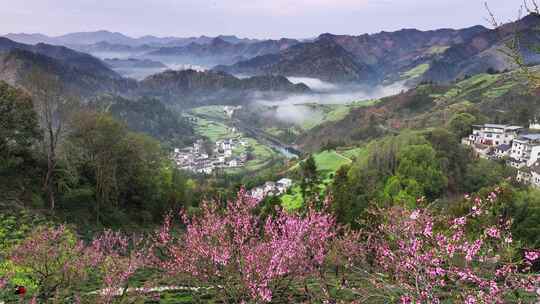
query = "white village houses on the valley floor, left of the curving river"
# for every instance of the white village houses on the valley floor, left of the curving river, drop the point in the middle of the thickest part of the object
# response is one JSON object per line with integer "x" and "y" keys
{"x": 196, "y": 159}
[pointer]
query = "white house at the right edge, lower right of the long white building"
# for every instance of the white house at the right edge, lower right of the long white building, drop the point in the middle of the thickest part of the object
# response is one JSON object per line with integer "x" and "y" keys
{"x": 525, "y": 150}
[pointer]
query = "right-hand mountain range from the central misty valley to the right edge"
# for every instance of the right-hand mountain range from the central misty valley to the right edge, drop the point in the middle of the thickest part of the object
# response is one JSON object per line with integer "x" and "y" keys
{"x": 440, "y": 55}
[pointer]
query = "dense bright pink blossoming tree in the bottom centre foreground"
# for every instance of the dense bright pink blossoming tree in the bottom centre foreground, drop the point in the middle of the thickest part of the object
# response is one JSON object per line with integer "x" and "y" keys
{"x": 241, "y": 255}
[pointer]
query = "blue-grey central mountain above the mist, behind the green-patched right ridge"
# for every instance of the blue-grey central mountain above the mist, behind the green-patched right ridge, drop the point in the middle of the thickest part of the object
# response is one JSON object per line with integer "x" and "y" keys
{"x": 344, "y": 58}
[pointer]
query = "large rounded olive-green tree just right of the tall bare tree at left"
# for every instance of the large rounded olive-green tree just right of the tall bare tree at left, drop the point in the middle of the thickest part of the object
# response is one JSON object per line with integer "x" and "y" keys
{"x": 123, "y": 167}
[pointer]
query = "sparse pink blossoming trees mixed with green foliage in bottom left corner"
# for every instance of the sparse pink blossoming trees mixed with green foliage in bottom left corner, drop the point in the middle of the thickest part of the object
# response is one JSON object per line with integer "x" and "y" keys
{"x": 57, "y": 264}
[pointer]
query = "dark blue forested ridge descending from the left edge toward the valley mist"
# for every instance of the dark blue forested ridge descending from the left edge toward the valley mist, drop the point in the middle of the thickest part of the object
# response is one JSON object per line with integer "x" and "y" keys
{"x": 86, "y": 76}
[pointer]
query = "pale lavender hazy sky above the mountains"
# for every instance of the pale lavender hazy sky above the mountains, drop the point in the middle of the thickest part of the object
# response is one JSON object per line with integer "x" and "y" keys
{"x": 246, "y": 18}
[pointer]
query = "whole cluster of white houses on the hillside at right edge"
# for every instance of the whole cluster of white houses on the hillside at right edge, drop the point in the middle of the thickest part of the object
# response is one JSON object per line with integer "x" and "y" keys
{"x": 518, "y": 146}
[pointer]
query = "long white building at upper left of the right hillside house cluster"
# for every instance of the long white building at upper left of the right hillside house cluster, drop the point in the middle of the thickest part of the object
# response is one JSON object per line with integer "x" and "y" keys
{"x": 493, "y": 135}
